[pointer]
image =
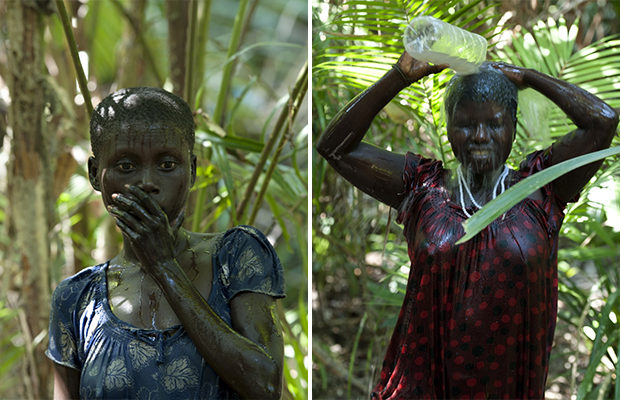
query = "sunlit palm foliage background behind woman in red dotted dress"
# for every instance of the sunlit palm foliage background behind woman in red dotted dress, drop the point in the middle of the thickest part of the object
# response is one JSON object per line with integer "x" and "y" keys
{"x": 360, "y": 263}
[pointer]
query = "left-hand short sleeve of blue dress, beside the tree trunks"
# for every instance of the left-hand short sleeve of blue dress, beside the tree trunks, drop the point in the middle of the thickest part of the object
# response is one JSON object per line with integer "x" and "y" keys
{"x": 62, "y": 346}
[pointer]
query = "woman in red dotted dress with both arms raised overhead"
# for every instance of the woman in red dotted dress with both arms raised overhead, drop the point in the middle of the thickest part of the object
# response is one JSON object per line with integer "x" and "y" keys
{"x": 478, "y": 319}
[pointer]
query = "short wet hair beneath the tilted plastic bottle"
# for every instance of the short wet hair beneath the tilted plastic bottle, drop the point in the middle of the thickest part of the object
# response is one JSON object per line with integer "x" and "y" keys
{"x": 487, "y": 85}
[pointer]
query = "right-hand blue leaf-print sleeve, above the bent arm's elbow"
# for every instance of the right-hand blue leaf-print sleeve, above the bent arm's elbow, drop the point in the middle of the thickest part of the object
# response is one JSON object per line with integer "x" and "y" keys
{"x": 248, "y": 263}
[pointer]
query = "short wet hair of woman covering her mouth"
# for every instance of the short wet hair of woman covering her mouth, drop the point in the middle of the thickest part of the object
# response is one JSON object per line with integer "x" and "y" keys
{"x": 140, "y": 107}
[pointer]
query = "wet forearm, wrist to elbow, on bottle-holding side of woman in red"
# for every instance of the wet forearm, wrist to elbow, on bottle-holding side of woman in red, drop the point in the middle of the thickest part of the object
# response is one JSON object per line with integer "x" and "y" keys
{"x": 349, "y": 126}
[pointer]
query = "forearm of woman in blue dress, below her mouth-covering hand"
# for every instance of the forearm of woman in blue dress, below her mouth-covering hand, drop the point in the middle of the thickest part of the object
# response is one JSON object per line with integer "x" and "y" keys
{"x": 242, "y": 364}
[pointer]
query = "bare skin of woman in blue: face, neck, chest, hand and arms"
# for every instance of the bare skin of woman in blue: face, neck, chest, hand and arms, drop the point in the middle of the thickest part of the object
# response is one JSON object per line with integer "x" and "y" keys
{"x": 144, "y": 179}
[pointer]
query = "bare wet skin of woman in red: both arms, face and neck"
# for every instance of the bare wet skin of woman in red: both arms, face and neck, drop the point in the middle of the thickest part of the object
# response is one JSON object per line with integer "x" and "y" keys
{"x": 378, "y": 172}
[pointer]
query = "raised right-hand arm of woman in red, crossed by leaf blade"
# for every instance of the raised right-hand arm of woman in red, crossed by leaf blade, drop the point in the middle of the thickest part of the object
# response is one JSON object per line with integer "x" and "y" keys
{"x": 596, "y": 124}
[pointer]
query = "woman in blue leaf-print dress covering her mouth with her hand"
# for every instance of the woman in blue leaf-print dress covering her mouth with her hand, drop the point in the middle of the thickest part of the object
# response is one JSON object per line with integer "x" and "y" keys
{"x": 176, "y": 314}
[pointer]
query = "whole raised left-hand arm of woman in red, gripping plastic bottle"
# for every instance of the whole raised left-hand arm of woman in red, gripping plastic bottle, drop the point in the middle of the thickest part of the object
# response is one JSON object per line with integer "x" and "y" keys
{"x": 373, "y": 170}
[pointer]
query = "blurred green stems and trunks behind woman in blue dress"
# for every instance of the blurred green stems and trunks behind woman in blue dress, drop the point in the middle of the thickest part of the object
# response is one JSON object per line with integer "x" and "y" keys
{"x": 245, "y": 74}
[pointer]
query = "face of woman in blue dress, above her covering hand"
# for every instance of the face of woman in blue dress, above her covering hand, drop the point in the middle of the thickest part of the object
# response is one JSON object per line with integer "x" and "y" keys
{"x": 156, "y": 159}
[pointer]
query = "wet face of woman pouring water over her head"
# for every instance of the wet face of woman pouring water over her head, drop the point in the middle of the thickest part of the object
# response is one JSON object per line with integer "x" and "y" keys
{"x": 481, "y": 135}
